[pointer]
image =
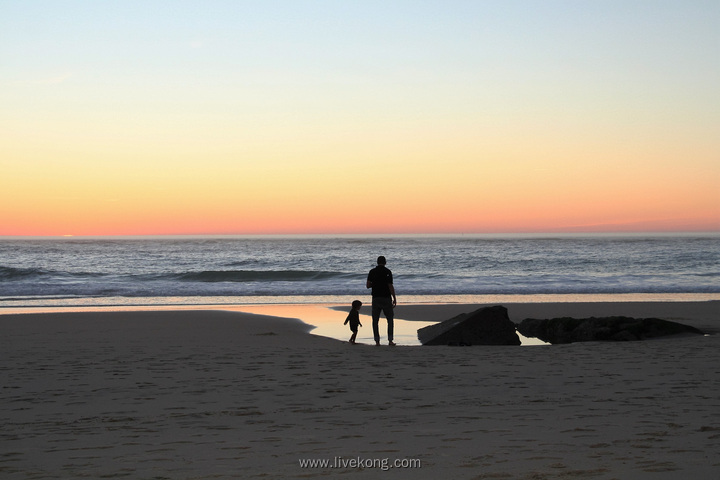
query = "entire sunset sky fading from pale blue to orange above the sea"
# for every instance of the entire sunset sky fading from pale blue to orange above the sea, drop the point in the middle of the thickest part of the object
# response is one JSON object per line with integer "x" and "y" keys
{"x": 274, "y": 117}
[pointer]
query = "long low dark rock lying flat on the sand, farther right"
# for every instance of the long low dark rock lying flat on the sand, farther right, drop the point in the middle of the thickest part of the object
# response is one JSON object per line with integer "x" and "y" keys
{"x": 612, "y": 329}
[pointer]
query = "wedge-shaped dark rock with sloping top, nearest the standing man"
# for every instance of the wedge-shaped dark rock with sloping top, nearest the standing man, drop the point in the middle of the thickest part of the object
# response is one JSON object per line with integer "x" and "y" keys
{"x": 486, "y": 326}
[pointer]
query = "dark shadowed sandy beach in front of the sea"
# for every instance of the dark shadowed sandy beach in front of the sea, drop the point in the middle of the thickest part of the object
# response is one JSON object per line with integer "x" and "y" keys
{"x": 215, "y": 394}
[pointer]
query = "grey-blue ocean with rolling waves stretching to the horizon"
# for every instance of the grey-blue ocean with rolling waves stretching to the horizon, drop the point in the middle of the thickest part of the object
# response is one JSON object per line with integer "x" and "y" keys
{"x": 288, "y": 269}
